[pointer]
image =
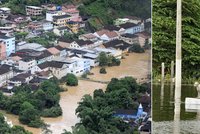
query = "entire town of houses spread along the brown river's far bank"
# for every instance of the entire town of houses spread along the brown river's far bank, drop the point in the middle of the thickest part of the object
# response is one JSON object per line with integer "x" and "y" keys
{"x": 23, "y": 62}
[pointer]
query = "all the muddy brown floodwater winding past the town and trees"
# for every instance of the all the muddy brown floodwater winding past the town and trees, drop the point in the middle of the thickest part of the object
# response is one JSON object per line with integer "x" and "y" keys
{"x": 136, "y": 65}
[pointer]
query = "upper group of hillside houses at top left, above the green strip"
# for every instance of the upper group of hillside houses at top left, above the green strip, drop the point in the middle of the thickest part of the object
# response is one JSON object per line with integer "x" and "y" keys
{"x": 56, "y": 19}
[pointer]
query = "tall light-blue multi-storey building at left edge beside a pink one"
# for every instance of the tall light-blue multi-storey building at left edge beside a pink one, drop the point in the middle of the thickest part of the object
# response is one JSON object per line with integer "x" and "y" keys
{"x": 10, "y": 44}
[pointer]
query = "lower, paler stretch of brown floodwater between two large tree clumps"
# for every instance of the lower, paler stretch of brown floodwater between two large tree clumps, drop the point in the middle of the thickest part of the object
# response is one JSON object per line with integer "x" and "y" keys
{"x": 69, "y": 102}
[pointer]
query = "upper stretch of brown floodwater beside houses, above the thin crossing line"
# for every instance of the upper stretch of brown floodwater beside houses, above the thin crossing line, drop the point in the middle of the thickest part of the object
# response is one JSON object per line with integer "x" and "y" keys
{"x": 136, "y": 65}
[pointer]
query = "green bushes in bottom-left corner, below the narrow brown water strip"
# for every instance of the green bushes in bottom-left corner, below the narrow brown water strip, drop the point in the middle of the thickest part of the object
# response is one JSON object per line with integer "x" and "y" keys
{"x": 6, "y": 129}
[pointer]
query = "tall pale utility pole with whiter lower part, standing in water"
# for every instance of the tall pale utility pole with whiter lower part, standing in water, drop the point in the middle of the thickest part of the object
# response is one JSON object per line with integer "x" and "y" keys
{"x": 178, "y": 52}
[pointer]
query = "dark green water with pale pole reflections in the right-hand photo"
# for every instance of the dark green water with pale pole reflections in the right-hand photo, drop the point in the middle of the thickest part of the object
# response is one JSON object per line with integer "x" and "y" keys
{"x": 169, "y": 116}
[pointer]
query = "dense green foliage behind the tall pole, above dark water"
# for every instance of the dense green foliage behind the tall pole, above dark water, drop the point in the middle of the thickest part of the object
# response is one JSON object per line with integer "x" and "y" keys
{"x": 164, "y": 36}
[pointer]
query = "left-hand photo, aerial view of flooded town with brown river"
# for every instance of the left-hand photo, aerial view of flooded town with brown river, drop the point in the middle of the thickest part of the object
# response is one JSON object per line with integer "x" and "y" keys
{"x": 75, "y": 67}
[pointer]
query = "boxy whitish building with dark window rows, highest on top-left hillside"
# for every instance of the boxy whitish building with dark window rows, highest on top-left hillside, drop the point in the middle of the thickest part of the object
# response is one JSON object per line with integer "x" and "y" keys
{"x": 33, "y": 10}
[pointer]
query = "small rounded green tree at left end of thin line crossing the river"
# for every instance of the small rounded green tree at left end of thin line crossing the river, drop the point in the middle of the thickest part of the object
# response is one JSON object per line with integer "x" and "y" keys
{"x": 70, "y": 79}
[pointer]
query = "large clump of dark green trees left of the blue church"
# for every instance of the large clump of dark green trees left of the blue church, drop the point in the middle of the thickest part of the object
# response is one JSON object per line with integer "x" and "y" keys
{"x": 96, "y": 113}
